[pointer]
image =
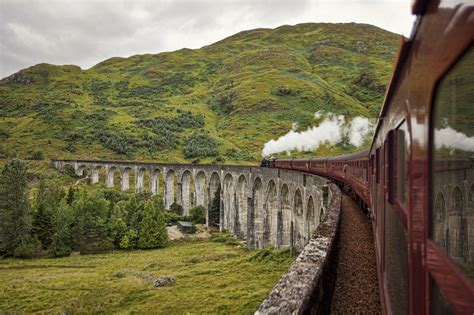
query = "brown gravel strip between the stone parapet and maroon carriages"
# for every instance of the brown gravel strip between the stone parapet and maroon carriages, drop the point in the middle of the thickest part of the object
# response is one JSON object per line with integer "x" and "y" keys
{"x": 356, "y": 290}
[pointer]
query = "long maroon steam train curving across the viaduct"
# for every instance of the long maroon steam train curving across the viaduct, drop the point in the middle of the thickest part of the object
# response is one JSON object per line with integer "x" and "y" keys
{"x": 416, "y": 180}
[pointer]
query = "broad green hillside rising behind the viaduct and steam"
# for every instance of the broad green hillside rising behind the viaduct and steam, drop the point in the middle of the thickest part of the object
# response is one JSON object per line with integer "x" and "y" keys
{"x": 221, "y": 102}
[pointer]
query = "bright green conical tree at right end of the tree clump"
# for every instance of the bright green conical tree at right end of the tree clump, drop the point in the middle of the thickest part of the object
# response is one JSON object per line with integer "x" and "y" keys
{"x": 152, "y": 228}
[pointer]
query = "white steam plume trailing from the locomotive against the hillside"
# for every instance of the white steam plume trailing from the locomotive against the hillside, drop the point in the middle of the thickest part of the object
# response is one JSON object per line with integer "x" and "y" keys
{"x": 332, "y": 130}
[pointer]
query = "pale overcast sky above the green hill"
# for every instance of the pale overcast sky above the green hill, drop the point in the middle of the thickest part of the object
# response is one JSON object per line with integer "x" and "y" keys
{"x": 85, "y": 32}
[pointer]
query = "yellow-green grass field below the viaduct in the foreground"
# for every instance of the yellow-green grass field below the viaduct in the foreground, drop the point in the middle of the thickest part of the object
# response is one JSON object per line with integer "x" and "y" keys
{"x": 210, "y": 278}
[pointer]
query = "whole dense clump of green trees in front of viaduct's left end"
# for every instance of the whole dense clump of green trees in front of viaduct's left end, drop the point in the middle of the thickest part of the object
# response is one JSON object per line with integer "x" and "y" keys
{"x": 59, "y": 222}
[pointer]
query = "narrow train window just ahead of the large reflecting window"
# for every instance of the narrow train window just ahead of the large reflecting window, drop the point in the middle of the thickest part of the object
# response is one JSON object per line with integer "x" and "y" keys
{"x": 402, "y": 158}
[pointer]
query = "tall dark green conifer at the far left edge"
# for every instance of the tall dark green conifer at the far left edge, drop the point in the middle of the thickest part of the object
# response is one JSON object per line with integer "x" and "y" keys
{"x": 15, "y": 216}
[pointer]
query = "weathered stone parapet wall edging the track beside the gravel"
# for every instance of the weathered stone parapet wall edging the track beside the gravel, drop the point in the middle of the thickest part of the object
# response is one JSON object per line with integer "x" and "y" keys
{"x": 308, "y": 285}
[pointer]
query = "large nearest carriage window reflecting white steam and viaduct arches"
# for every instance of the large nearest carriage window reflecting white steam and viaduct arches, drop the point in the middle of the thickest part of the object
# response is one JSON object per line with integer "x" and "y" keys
{"x": 452, "y": 206}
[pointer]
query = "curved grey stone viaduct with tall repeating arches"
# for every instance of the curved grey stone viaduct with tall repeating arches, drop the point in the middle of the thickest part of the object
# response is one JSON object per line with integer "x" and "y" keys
{"x": 260, "y": 205}
